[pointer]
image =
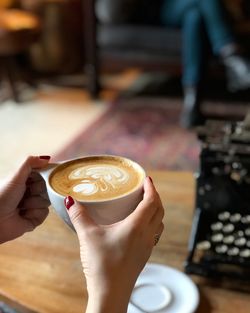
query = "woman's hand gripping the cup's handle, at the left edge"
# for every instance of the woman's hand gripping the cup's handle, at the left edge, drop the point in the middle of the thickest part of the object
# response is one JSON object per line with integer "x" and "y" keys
{"x": 23, "y": 200}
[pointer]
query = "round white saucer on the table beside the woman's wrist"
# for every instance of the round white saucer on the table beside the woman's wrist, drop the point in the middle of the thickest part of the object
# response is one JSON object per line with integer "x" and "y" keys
{"x": 163, "y": 289}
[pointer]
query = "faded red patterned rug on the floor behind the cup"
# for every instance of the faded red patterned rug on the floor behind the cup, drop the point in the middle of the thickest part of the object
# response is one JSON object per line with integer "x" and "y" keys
{"x": 143, "y": 129}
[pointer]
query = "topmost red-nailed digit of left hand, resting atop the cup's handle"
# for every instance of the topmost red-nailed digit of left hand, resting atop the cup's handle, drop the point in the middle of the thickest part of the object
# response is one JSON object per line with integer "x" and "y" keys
{"x": 31, "y": 163}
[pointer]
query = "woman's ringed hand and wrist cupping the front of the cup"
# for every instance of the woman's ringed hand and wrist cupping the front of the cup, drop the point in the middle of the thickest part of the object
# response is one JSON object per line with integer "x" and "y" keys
{"x": 114, "y": 255}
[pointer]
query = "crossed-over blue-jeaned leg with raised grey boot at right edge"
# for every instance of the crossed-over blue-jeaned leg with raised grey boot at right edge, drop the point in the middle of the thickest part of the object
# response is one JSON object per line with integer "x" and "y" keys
{"x": 224, "y": 44}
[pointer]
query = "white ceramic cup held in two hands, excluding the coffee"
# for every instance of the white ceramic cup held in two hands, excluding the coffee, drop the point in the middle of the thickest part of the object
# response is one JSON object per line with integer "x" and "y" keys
{"x": 103, "y": 212}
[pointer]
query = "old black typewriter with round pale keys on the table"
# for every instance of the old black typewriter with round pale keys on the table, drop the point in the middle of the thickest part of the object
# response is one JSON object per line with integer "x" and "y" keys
{"x": 219, "y": 244}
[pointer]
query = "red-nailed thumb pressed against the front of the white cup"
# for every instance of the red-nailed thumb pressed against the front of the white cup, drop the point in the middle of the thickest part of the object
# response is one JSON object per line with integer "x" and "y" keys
{"x": 78, "y": 215}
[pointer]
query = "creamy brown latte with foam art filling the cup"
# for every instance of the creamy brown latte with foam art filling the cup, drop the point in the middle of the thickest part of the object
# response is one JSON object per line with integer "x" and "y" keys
{"x": 97, "y": 178}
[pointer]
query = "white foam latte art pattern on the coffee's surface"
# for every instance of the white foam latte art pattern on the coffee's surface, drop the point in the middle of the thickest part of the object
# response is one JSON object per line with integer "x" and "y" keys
{"x": 96, "y": 179}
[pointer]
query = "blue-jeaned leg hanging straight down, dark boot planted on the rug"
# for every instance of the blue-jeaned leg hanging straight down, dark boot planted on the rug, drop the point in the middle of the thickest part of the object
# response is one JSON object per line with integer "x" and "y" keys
{"x": 185, "y": 14}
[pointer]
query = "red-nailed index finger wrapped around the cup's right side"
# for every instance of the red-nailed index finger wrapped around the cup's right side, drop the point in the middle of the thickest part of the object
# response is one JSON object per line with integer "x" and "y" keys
{"x": 148, "y": 206}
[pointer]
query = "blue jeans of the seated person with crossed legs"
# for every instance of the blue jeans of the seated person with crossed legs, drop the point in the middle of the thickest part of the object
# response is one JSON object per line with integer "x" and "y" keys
{"x": 192, "y": 16}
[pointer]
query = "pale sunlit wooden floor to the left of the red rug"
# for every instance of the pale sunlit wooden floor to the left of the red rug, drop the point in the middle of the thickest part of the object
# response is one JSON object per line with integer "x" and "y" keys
{"x": 50, "y": 117}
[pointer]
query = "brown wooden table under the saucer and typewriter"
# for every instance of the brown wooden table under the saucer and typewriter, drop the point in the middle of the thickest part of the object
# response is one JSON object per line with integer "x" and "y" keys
{"x": 42, "y": 272}
